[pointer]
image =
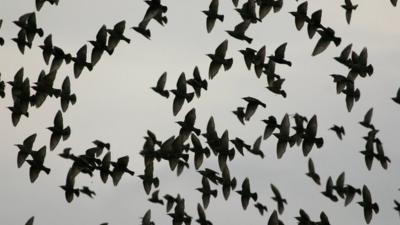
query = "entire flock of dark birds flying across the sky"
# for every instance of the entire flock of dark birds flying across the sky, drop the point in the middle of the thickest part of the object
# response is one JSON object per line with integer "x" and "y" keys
{"x": 177, "y": 150}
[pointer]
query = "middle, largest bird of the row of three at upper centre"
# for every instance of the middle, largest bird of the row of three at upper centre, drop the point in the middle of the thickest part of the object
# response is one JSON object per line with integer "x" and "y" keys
{"x": 181, "y": 94}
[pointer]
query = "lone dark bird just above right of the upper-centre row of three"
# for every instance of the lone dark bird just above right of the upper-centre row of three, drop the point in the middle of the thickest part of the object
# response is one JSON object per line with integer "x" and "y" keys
{"x": 218, "y": 59}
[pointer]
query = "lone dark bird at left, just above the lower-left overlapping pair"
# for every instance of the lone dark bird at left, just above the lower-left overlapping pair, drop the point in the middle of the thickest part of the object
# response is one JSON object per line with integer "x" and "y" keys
{"x": 58, "y": 131}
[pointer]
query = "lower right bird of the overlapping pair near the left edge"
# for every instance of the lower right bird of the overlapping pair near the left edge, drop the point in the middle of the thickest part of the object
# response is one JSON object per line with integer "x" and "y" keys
{"x": 36, "y": 164}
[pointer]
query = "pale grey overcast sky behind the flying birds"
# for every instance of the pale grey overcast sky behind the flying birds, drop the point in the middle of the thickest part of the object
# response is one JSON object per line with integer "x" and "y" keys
{"x": 115, "y": 104}
